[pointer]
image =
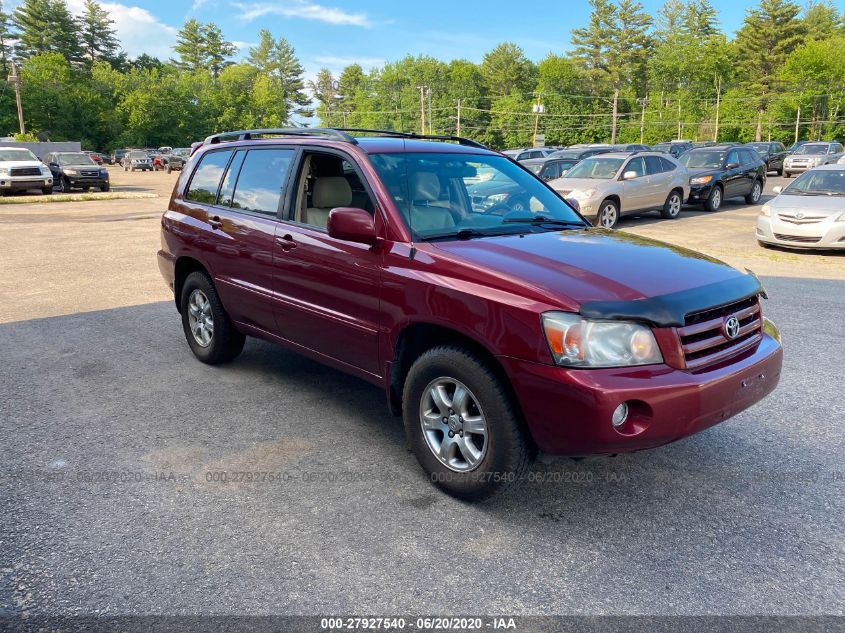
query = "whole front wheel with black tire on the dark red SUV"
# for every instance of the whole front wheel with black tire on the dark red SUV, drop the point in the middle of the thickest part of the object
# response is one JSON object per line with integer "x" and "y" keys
{"x": 482, "y": 464}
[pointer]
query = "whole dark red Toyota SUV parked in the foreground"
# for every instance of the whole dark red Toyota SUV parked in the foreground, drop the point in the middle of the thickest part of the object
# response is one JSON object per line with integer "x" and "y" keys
{"x": 495, "y": 332}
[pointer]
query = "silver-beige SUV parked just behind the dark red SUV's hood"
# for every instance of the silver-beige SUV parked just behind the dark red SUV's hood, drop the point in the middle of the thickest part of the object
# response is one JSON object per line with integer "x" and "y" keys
{"x": 609, "y": 185}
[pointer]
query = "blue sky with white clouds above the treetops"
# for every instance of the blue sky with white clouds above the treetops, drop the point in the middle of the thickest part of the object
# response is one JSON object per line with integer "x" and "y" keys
{"x": 336, "y": 33}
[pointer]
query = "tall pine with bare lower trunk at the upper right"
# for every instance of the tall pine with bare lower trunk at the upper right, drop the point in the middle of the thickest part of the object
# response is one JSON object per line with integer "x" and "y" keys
{"x": 769, "y": 33}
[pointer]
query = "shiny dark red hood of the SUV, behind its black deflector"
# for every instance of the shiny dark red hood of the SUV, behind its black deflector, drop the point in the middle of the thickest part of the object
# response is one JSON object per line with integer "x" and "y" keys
{"x": 569, "y": 268}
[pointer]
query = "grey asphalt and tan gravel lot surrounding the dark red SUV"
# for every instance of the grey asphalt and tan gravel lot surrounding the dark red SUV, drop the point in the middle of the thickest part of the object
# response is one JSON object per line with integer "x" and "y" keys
{"x": 115, "y": 437}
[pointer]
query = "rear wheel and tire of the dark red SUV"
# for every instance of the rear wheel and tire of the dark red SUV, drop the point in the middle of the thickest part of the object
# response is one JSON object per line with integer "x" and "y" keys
{"x": 215, "y": 342}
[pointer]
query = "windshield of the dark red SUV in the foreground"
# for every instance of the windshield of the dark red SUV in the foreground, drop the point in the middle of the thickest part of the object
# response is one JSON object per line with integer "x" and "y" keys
{"x": 439, "y": 196}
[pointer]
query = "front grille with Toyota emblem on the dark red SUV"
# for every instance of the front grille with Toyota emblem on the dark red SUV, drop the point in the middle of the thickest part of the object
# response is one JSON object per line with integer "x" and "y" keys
{"x": 703, "y": 338}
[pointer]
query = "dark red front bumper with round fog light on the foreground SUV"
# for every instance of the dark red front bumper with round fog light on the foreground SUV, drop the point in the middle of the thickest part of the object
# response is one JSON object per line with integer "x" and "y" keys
{"x": 568, "y": 411}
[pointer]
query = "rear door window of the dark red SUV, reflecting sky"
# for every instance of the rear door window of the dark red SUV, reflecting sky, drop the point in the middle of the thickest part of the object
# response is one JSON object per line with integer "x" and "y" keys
{"x": 262, "y": 179}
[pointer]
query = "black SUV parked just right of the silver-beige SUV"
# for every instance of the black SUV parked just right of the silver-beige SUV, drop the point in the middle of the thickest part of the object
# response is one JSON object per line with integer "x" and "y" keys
{"x": 724, "y": 171}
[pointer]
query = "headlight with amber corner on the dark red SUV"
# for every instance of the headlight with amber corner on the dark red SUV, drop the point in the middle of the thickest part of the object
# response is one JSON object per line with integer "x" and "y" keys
{"x": 577, "y": 342}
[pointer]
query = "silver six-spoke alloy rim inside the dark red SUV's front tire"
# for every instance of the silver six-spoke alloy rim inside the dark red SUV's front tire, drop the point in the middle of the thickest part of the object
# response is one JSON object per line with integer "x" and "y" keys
{"x": 453, "y": 424}
